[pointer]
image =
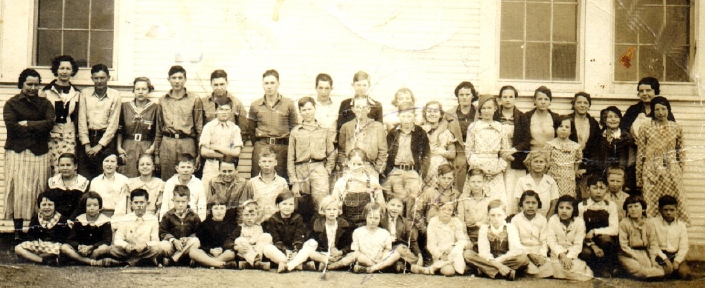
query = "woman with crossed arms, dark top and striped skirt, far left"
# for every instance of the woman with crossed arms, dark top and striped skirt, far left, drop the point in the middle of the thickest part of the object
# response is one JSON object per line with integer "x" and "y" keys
{"x": 28, "y": 119}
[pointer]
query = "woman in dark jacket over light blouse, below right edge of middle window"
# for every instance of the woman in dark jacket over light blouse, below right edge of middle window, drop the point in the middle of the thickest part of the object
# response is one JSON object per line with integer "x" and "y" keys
{"x": 536, "y": 127}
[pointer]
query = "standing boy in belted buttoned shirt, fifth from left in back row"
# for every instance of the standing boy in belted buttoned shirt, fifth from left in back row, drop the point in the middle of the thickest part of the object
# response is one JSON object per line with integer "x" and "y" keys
{"x": 179, "y": 125}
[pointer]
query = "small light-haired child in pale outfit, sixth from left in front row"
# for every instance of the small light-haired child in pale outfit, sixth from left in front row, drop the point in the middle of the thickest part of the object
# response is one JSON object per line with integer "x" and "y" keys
{"x": 249, "y": 239}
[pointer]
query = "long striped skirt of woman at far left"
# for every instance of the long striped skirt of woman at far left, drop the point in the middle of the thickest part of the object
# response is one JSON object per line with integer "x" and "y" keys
{"x": 26, "y": 176}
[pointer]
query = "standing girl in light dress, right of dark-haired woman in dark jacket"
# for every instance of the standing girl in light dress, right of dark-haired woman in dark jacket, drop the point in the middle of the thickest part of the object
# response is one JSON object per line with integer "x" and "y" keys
{"x": 486, "y": 148}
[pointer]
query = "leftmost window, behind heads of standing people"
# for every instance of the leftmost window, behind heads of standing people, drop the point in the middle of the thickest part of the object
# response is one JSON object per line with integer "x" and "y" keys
{"x": 83, "y": 29}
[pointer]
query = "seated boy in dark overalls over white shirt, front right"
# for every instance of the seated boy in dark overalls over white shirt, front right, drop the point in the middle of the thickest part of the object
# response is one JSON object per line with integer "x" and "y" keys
{"x": 602, "y": 225}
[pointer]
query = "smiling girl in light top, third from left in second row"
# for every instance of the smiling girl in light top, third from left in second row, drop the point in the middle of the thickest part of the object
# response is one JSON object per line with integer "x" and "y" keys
{"x": 146, "y": 180}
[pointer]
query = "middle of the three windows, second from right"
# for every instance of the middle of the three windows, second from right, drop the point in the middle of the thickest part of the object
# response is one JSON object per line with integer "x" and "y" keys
{"x": 539, "y": 40}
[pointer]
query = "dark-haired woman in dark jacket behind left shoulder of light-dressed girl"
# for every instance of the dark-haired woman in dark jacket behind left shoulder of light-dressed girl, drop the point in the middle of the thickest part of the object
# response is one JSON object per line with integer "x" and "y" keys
{"x": 459, "y": 118}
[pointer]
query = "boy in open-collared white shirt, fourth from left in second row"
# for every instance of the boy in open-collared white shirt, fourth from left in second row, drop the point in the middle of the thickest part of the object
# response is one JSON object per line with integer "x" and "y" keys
{"x": 184, "y": 176}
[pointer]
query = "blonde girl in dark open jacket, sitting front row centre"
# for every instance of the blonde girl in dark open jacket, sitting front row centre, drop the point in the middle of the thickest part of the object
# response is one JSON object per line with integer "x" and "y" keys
{"x": 331, "y": 235}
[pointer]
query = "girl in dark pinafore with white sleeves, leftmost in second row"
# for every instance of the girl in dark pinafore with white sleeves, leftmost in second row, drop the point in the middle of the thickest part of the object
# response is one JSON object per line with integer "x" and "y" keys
{"x": 71, "y": 186}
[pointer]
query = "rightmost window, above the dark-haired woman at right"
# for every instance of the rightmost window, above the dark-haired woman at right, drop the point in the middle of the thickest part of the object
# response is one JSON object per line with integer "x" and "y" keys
{"x": 652, "y": 38}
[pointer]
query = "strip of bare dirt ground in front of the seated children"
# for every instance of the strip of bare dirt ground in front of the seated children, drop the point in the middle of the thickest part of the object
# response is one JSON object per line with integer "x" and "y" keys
{"x": 14, "y": 273}
